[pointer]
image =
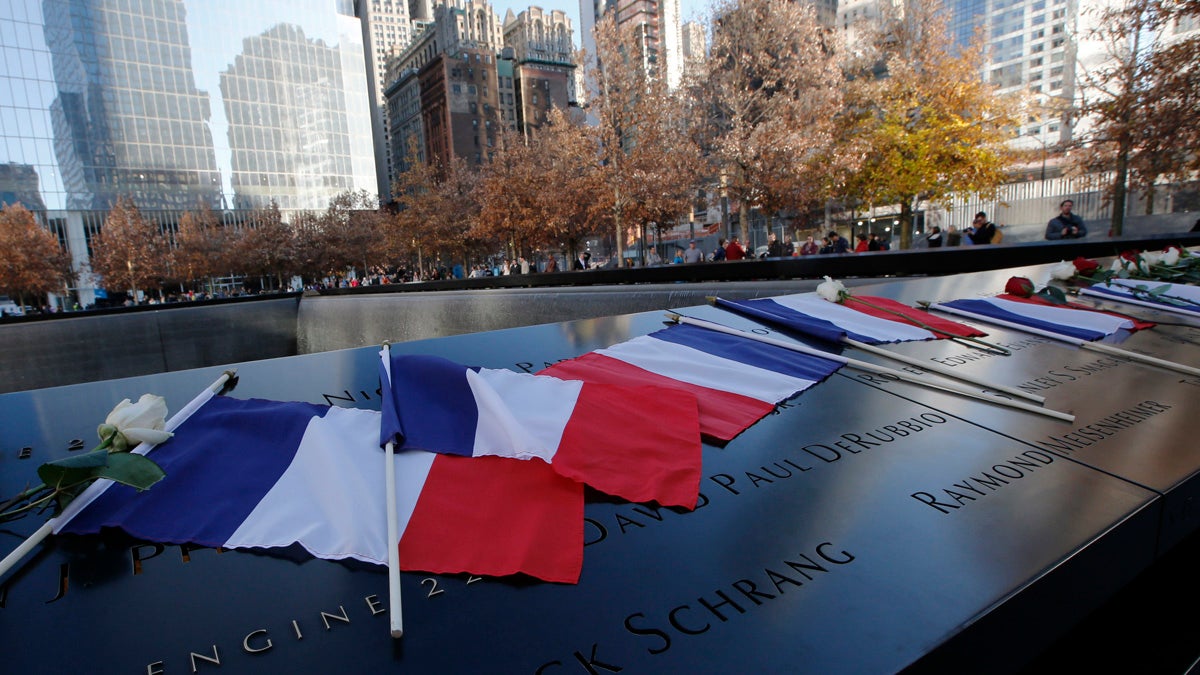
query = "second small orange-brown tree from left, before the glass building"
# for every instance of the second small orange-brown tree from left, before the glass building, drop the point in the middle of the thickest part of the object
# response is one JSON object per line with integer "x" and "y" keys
{"x": 130, "y": 253}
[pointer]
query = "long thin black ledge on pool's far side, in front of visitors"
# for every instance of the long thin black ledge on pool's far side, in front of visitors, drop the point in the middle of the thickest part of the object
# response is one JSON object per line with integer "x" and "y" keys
{"x": 915, "y": 262}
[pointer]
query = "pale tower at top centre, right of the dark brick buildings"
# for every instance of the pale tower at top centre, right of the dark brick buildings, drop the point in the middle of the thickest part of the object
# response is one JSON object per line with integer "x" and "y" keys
{"x": 659, "y": 34}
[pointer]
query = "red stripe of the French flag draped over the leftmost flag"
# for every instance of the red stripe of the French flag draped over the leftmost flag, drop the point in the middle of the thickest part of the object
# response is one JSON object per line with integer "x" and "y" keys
{"x": 641, "y": 444}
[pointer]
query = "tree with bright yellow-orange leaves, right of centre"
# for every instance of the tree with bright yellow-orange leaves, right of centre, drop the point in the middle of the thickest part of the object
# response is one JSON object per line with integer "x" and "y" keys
{"x": 931, "y": 129}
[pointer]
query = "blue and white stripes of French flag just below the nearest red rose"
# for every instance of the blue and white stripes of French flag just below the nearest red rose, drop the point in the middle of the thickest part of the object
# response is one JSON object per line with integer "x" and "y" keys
{"x": 1053, "y": 319}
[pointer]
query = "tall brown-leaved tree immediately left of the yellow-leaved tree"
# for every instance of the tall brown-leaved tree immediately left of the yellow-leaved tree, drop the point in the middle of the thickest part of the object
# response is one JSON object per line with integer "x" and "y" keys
{"x": 772, "y": 97}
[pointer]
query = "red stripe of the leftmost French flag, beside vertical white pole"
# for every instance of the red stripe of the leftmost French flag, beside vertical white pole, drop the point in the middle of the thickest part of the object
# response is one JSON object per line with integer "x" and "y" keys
{"x": 496, "y": 517}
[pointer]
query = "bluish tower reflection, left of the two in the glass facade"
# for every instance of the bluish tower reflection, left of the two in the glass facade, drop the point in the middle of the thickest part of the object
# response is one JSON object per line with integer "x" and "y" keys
{"x": 127, "y": 117}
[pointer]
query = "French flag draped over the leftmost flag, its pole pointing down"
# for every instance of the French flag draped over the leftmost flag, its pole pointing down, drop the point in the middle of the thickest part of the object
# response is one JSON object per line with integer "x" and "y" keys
{"x": 638, "y": 443}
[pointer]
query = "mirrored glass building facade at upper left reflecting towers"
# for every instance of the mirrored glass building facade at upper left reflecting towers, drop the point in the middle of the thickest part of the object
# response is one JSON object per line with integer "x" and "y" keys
{"x": 179, "y": 104}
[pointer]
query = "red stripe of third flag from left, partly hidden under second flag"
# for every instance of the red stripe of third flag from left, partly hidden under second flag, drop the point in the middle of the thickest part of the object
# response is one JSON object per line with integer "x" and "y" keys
{"x": 723, "y": 415}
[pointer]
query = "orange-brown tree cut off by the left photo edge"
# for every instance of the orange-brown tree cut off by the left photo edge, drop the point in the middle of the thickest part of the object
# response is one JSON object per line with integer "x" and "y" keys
{"x": 33, "y": 265}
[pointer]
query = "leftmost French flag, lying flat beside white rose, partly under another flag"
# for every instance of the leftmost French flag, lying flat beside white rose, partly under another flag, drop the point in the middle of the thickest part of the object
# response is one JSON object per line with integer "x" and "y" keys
{"x": 261, "y": 475}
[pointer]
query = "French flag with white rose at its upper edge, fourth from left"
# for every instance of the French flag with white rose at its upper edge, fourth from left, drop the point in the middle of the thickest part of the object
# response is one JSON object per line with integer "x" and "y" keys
{"x": 868, "y": 320}
